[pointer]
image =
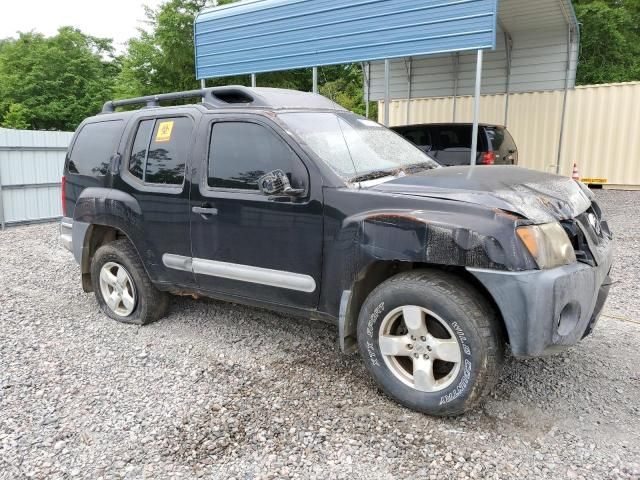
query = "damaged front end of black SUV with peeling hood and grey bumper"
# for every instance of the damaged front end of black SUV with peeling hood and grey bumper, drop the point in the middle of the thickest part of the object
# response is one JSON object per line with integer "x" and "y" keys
{"x": 472, "y": 218}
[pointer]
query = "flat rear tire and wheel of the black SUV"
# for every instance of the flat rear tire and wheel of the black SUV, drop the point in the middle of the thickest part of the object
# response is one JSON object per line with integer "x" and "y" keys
{"x": 123, "y": 288}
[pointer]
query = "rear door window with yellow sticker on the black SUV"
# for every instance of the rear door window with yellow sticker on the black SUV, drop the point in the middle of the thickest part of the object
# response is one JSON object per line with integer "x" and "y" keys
{"x": 159, "y": 152}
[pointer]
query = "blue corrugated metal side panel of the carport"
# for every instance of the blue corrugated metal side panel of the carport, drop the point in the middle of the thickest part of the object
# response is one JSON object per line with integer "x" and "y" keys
{"x": 271, "y": 35}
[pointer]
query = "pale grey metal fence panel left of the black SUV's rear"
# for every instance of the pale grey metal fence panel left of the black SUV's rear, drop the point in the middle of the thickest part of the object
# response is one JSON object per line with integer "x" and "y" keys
{"x": 30, "y": 170}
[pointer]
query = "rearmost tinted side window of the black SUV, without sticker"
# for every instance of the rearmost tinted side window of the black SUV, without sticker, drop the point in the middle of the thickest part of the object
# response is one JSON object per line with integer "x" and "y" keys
{"x": 95, "y": 145}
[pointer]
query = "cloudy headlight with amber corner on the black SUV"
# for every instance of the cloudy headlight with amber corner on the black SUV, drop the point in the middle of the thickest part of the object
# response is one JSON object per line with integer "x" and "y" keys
{"x": 548, "y": 244}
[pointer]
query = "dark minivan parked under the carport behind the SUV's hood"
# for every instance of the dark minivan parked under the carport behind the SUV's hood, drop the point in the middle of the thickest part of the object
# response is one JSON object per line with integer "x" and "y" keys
{"x": 450, "y": 143}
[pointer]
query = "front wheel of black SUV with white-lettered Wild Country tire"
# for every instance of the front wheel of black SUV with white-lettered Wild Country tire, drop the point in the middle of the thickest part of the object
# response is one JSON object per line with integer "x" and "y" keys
{"x": 431, "y": 341}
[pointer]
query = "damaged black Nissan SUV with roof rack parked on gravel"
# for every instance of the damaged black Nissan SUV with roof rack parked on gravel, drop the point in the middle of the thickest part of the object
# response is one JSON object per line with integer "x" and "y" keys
{"x": 285, "y": 200}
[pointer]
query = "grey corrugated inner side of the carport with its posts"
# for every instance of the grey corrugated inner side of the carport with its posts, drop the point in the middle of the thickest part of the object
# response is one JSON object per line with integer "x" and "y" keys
{"x": 537, "y": 48}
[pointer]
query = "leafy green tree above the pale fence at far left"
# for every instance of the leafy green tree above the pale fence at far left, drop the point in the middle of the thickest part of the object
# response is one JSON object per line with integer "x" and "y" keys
{"x": 58, "y": 81}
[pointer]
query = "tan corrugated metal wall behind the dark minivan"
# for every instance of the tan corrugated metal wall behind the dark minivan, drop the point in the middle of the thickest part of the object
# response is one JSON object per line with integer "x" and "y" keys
{"x": 601, "y": 130}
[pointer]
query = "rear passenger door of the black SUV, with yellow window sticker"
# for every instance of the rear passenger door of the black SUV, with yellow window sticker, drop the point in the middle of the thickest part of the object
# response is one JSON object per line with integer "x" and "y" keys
{"x": 153, "y": 172}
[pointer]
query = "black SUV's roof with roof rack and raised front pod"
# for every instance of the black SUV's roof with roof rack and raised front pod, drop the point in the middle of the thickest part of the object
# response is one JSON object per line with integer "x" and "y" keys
{"x": 235, "y": 96}
